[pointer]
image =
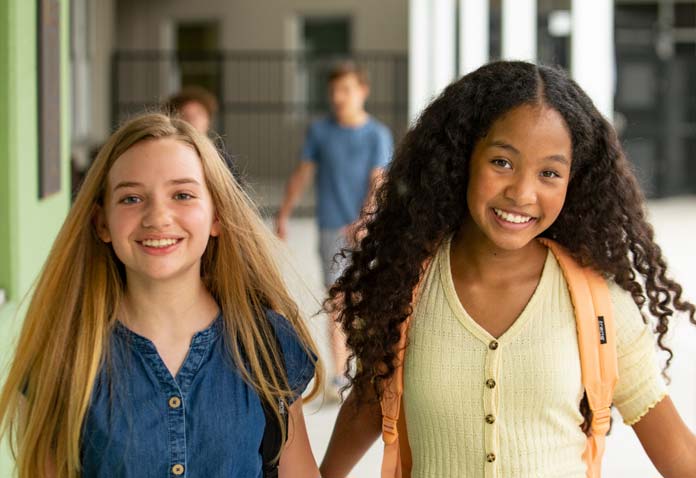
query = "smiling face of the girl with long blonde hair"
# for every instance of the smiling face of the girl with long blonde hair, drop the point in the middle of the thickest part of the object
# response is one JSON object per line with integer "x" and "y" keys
{"x": 158, "y": 213}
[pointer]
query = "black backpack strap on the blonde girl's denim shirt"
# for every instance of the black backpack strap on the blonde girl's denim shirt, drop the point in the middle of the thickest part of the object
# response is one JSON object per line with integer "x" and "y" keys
{"x": 272, "y": 441}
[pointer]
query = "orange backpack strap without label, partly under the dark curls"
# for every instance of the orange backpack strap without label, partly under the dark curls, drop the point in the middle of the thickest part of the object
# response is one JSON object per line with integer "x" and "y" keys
{"x": 396, "y": 461}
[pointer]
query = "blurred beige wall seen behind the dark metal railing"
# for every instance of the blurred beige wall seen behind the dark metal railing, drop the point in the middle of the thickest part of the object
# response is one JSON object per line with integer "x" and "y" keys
{"x": 265, "y": 144}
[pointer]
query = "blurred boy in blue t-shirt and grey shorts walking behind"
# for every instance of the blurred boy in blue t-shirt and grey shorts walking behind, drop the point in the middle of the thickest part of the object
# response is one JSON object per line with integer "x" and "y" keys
{"x": 347, "y": 152}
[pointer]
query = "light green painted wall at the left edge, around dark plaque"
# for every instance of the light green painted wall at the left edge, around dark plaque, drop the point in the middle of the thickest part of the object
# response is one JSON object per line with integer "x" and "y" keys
{"x": 28, "y": 225}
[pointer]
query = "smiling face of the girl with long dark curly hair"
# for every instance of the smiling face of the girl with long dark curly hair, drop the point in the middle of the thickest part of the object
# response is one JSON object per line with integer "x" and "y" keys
{"x": 519, "y": 174}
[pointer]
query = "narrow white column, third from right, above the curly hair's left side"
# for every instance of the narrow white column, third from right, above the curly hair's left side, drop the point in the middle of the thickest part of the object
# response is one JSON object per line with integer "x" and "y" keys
{"x": 473, "y": 34}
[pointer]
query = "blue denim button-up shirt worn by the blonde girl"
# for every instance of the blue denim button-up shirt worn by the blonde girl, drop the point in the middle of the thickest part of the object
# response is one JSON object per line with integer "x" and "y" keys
{"x": 207, "y": 422}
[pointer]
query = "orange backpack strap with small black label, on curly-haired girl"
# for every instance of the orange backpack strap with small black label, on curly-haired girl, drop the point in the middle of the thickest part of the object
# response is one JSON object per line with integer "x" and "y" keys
{"x": 594, "y": 320}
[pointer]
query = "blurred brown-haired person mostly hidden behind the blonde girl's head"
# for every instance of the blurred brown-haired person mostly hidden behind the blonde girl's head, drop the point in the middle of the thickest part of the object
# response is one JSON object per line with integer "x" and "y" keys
{"x": 197, "y": 106}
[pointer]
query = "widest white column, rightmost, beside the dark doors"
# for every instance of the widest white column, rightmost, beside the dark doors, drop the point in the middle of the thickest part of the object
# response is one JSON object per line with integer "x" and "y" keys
{"x": 592, "y": 51}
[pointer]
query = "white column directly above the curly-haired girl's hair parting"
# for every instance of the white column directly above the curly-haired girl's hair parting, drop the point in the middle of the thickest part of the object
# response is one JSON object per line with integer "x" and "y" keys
{"x": 519, "y": 29}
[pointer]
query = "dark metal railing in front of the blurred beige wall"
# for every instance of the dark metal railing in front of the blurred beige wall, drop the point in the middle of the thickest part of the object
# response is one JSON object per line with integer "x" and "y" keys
{"x": 267, "y": 99}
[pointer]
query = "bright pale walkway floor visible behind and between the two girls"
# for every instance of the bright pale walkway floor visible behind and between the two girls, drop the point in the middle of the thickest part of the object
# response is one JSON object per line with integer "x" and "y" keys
{"x": 675, "y": 226}
